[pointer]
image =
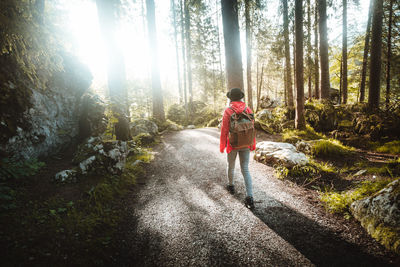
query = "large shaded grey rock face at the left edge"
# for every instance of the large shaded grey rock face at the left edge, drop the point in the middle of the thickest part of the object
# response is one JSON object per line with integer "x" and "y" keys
{"x": 50, "y": 121}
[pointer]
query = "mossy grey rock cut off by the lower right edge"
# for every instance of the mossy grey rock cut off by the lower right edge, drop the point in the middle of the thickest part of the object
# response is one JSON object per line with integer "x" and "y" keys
{"x": 380, "y": 215}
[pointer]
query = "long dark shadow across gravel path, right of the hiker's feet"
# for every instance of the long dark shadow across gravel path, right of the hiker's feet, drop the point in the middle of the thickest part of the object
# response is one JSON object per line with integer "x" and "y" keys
{"x": 319, "y": 244}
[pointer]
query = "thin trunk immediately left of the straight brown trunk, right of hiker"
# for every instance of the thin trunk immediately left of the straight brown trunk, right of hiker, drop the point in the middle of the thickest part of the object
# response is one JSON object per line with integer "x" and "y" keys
{"x": 288, "y": 80}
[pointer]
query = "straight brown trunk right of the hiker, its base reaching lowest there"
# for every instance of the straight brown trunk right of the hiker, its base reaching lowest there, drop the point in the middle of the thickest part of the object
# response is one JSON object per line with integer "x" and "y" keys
{"x": 299, "y": 120}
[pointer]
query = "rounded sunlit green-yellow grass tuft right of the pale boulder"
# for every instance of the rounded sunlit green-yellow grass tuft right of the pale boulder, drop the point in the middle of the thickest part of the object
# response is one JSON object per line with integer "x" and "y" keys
{"x": 330, "y": 147}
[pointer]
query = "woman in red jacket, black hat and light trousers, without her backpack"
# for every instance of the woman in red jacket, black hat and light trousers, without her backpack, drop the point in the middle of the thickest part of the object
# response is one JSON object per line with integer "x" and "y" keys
{"x": 236, "y": 105}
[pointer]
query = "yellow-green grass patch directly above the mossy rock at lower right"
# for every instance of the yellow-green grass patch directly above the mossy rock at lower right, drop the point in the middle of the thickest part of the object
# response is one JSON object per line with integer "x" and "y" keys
{"x": 339, "y": 202}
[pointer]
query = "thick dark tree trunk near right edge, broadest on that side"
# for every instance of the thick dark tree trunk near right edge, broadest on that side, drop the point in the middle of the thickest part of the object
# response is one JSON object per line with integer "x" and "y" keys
{"x": 376, "y": 60}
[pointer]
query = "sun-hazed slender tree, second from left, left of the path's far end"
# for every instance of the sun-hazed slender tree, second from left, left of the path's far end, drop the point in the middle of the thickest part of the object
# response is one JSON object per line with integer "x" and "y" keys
{"x": 158, "y": 106}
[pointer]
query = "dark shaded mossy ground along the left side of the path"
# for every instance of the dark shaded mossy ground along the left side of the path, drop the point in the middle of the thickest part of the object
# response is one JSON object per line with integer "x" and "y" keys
{"x": 52, "y": 224}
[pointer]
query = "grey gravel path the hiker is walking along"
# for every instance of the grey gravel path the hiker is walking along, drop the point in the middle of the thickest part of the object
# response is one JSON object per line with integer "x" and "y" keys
{"x": 181, "y": 214}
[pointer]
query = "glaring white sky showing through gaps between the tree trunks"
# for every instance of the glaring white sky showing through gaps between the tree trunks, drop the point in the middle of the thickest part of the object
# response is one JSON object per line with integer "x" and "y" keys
{"x": 84, "y": 27}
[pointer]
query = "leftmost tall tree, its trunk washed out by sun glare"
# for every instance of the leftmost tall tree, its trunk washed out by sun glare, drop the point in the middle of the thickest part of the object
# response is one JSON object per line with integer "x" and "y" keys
{"x": 115, "y": 67}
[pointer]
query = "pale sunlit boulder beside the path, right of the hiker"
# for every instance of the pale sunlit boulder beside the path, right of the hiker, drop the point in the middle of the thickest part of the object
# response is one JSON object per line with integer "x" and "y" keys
{"x": 272, "y": 153}
